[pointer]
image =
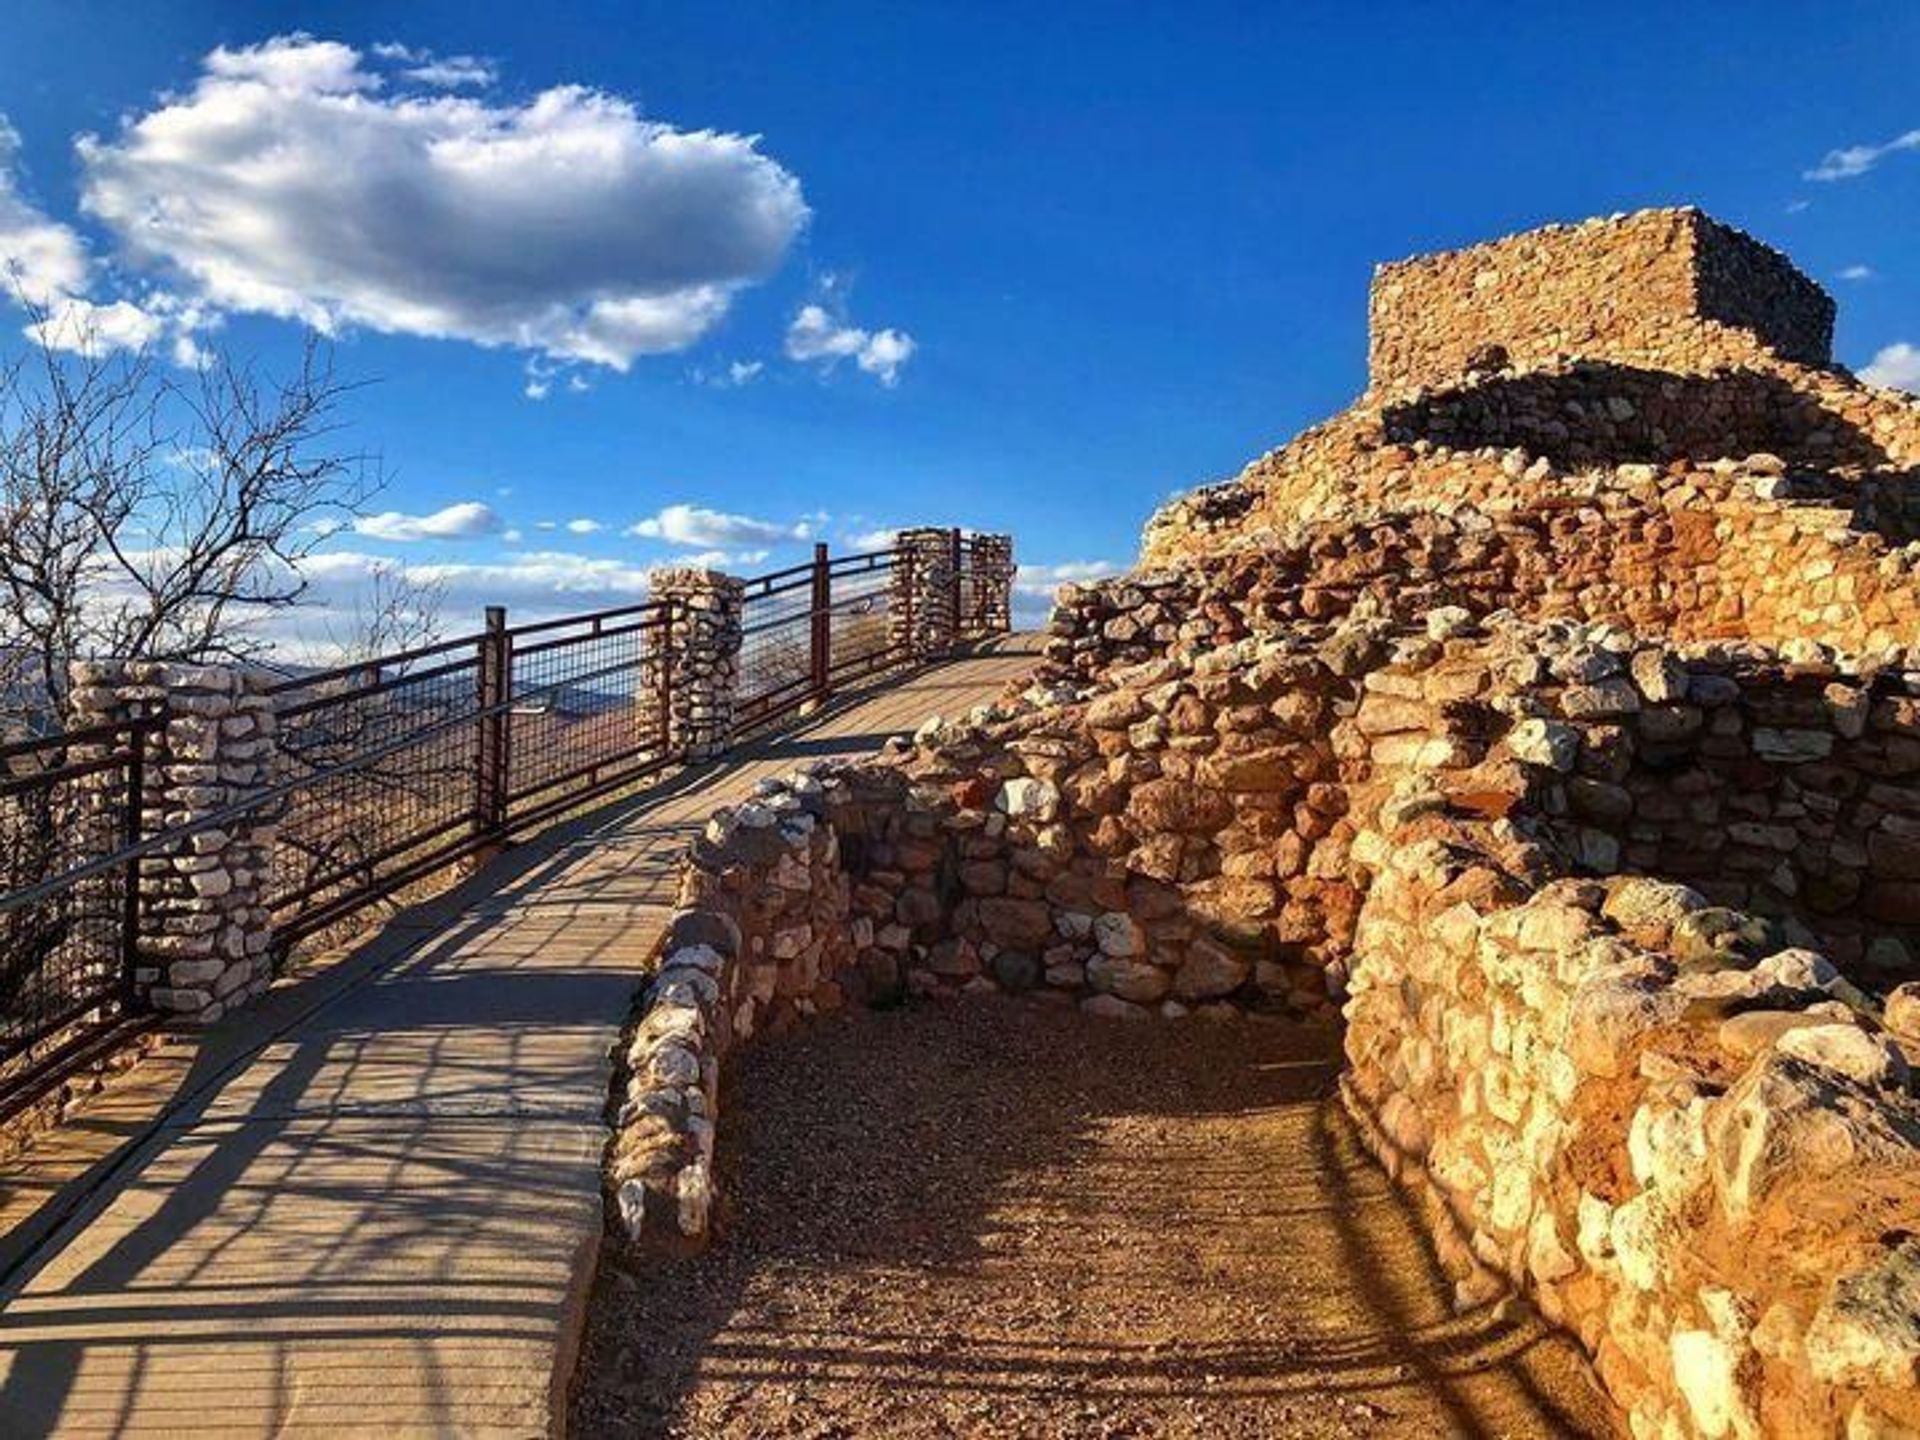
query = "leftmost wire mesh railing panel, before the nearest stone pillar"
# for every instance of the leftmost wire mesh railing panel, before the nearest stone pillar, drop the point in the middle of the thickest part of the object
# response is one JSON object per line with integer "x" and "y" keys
{"x": 68, "y": 807}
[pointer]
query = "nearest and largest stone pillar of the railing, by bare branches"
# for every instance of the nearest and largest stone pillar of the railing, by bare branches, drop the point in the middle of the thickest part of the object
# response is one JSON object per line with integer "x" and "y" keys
{"x": 204, "y": 926}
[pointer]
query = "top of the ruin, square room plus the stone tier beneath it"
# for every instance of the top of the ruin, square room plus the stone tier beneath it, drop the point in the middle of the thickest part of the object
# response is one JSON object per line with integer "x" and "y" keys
{"x": 1506, "y": 389}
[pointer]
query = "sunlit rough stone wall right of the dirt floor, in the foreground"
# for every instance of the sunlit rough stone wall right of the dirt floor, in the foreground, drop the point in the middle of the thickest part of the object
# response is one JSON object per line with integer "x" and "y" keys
{"x": 1692, "y": 1149}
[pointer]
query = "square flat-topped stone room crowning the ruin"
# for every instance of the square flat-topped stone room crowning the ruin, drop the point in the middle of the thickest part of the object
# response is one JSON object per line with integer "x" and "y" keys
{"x": 1666, "y": 287}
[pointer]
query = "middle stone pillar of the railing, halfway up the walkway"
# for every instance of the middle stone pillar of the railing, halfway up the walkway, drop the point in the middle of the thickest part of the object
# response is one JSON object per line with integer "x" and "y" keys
{"x": 696, "y": 675}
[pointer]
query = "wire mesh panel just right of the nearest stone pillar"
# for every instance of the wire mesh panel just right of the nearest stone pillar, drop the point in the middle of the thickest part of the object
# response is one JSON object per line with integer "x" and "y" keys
{"x": 377, "y": 765}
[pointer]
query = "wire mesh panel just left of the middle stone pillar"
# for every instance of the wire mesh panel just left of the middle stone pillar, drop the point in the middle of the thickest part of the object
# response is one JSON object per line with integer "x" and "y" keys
{"x": 588, "y": 709}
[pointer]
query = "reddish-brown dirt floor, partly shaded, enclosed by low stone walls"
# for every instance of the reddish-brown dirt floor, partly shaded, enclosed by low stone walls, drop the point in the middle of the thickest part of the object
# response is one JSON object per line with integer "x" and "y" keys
{"x": 1007, "y": 1220}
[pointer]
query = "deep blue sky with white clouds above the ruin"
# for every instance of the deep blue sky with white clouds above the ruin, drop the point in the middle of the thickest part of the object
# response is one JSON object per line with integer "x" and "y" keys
{"x": 815, "y": 270}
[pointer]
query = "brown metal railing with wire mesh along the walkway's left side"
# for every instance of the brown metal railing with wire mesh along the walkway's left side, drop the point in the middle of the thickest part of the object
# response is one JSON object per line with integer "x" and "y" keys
{"x": 393, "y": 769}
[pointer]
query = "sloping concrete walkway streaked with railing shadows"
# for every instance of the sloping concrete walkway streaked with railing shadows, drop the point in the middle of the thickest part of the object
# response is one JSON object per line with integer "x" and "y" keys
{"x": 373, "y": 1203}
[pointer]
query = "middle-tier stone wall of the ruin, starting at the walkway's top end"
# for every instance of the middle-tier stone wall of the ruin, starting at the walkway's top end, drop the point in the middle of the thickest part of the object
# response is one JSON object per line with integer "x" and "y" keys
{"x": 1739, "y": 550}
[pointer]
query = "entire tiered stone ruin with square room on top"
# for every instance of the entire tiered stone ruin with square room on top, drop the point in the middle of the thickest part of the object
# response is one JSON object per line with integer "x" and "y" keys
{"x": 1552, "y": 721}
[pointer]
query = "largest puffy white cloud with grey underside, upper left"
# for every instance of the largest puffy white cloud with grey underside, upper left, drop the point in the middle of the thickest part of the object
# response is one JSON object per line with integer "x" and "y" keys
{"x": 295, "y": 180}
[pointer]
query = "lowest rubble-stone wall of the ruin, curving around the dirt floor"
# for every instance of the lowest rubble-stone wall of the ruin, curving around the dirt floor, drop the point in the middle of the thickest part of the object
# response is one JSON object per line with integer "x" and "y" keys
{"x": 1612, "y": 1095}
